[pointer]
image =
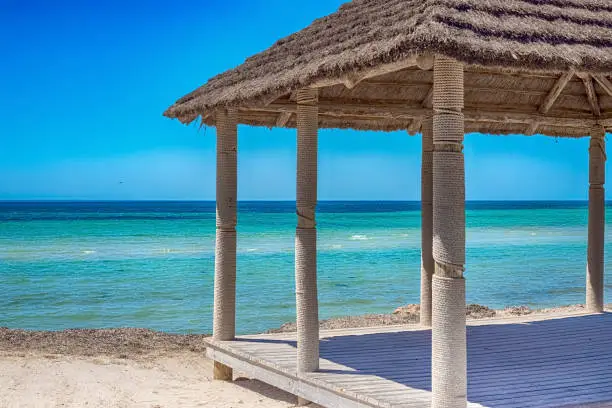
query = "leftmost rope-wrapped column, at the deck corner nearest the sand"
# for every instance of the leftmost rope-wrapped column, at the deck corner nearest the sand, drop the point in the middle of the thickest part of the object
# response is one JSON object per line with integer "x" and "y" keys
{"x": 224, "y": 317}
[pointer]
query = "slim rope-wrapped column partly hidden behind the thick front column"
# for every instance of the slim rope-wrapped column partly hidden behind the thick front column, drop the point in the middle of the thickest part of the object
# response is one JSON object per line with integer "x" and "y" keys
{"x": 427, "y": 261}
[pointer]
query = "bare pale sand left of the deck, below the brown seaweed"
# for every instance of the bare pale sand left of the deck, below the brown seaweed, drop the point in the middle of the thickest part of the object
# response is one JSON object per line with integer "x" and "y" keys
{"x": 173, "y": 381}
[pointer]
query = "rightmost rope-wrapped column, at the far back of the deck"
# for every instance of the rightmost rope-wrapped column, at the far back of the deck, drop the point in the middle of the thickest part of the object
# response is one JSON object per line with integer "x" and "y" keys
{"x": 597, "y": 221}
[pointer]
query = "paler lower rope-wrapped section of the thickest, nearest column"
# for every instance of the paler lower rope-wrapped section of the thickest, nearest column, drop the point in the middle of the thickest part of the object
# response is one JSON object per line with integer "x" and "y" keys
{"x": 449, "y": 359}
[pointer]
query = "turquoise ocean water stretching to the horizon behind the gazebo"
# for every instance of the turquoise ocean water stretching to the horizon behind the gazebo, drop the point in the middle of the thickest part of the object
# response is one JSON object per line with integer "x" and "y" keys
{"x": 150, "y": 264}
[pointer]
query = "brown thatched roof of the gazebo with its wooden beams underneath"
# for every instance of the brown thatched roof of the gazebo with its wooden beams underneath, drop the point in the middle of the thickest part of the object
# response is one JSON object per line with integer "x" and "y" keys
{"x": 498, "y": 40}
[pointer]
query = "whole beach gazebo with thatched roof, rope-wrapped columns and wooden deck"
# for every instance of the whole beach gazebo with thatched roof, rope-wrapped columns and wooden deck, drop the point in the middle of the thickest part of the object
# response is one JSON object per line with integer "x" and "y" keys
{"x": 441, "y": 68}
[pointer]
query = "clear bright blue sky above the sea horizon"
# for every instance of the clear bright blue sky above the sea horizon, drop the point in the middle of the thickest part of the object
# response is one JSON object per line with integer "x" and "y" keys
{"x": 83, "y": 85}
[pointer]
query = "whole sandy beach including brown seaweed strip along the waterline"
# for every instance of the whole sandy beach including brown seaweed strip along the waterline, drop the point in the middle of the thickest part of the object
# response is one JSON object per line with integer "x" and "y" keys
{"x": 142, "y": 368}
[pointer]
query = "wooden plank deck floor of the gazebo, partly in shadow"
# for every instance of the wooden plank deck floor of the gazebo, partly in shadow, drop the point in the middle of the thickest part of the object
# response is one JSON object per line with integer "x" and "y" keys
{"x": 517, "y": 363}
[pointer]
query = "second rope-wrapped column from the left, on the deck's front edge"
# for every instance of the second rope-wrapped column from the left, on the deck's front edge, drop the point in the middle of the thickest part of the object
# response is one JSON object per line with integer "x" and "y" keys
{"x": 306, "y": 233}
